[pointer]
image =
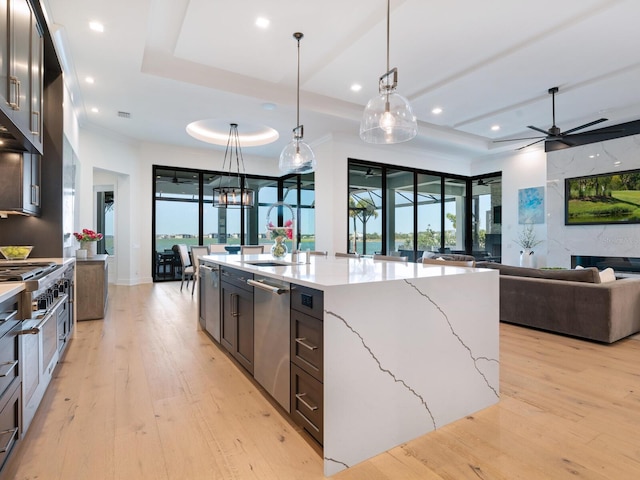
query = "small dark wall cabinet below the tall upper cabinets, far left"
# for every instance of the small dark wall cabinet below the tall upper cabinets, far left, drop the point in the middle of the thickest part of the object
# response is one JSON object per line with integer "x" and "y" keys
{"x": 20, "y": 183}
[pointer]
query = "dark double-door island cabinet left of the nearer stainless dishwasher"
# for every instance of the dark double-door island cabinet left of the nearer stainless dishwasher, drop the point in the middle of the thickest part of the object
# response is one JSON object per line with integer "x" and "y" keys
{"x": 236, "y": 329}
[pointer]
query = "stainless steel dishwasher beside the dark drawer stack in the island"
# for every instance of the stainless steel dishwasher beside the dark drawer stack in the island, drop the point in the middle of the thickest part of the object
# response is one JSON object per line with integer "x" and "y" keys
{"x": 271, "y": 303}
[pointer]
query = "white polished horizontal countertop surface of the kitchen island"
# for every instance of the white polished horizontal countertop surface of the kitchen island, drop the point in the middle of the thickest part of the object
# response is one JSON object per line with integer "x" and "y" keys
{"x": 331, "y": 271}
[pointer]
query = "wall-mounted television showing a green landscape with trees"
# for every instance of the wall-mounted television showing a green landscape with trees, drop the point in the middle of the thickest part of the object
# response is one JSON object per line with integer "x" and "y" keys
{"x": 607, "y": 198}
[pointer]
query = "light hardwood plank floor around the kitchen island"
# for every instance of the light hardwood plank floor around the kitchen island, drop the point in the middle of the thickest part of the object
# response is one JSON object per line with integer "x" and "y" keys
{"x": 144, "y": 394}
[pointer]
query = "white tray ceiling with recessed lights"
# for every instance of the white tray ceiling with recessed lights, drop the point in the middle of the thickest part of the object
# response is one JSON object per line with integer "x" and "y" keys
{"x": 171, "y": 62}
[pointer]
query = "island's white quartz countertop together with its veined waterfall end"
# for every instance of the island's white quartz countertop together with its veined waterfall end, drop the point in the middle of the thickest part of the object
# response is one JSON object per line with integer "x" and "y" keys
{"x": 406, "y": 348}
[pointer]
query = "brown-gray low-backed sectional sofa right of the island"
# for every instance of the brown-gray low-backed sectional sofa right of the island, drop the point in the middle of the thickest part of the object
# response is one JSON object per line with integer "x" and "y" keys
{"x": 571, "y": 302}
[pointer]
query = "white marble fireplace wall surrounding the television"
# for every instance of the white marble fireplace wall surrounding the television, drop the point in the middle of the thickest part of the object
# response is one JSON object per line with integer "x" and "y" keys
{"x": 563, "y": 241}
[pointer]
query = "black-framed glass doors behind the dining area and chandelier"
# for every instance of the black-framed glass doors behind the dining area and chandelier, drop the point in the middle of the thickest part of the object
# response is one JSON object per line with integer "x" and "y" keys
{"x": 184, "y": 213}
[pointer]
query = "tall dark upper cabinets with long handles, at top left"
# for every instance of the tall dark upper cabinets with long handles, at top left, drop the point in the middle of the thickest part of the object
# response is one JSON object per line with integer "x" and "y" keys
{"x": 21, "y": 70}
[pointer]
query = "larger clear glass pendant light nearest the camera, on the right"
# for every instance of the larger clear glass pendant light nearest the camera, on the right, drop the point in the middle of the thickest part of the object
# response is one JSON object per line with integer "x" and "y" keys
{"x": 388, "y": 117}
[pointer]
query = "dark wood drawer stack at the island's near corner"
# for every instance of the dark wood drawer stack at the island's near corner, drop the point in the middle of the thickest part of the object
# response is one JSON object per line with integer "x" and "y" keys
{"x": 307, "y": 353}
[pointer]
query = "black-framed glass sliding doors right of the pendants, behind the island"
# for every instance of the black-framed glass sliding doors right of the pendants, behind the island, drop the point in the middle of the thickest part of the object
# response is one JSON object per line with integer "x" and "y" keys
{"x": 394, "y": 210}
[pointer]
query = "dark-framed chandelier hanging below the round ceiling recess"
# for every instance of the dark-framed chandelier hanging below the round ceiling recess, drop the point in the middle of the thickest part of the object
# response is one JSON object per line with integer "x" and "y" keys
{"x": 231, "y": 193}
